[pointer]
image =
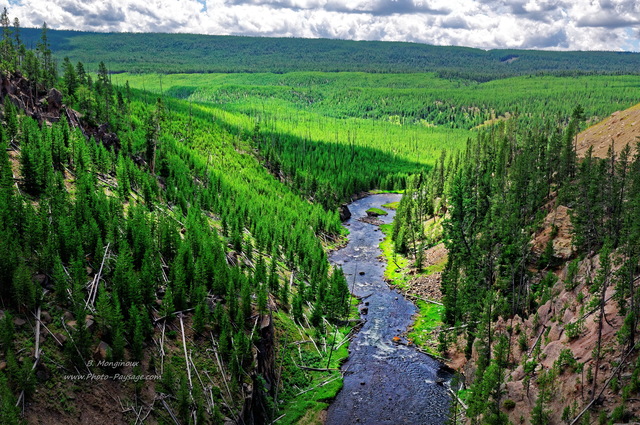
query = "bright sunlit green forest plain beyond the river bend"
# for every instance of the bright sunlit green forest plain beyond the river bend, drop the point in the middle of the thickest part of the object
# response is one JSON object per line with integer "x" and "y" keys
{"x": 315, "y": 126}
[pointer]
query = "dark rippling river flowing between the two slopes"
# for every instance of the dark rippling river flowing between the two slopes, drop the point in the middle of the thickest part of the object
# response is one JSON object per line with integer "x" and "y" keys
{"x": 386, "y": 383}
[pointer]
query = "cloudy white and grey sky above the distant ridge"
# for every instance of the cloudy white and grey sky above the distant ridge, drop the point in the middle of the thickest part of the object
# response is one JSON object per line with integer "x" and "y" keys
{"x": 487, "y": 24}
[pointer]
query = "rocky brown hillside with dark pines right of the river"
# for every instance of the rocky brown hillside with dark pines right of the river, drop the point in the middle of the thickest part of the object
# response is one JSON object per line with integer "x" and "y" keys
{"x": 540, "y": 285}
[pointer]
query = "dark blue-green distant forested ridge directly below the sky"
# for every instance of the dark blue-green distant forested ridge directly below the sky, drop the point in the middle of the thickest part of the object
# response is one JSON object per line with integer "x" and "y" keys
{"x": 172, "y": 53}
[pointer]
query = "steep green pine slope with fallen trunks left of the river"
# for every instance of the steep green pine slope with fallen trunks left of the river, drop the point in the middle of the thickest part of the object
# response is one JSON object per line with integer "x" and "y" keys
{"x": 139, "y": 239}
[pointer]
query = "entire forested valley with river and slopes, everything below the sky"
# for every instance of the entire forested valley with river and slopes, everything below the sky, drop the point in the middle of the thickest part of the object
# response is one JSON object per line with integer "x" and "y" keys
{"x": 273, "y": 239}
